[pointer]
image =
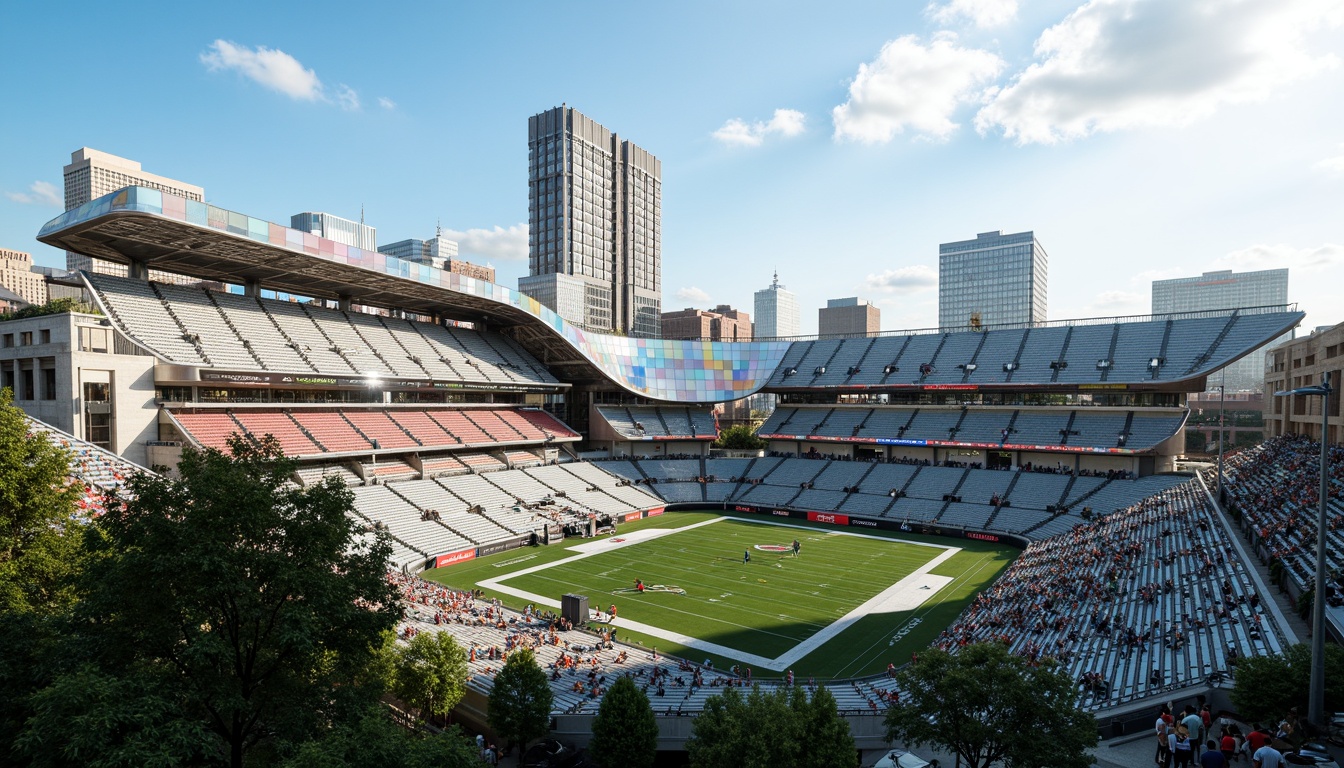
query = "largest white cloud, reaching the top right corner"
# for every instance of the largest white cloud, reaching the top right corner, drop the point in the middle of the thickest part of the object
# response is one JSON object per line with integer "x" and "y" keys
{"x": 1115, "y": 65}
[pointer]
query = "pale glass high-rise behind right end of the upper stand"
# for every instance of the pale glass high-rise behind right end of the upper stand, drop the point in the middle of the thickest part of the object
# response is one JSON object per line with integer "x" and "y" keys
{"x": 1228, "y": 290}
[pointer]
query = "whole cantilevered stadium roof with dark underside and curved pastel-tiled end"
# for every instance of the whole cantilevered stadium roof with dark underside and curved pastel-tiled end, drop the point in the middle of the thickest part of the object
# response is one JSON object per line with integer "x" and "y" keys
{"x": 159, "y": 231}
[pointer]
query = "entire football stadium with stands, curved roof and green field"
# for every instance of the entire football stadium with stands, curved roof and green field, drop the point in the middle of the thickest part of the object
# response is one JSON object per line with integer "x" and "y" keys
{"x": 929, "y": 488}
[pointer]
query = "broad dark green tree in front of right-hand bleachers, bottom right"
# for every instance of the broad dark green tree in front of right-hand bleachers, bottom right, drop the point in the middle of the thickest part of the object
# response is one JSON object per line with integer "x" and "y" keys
{"x": 986, "y": 705}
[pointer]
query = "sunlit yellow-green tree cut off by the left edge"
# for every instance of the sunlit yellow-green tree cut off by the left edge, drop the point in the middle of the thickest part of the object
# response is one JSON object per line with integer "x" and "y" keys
{"x": 41, "y": 544}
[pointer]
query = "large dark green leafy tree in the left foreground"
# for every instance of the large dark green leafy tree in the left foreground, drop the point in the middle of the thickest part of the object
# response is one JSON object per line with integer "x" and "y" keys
{"x": 228, "y": 606}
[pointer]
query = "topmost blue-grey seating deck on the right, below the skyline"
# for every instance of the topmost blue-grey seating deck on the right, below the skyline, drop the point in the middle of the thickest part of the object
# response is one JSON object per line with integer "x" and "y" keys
{"x": 1195, "y": 345}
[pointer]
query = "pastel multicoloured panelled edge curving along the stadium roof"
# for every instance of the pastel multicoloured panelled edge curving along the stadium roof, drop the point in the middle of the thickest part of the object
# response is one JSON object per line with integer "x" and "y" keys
{"x": 658, "y": 369}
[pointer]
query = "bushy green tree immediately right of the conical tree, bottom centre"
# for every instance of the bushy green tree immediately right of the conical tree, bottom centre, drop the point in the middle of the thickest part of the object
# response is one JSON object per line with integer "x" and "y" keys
{"x": 755, "y": 731}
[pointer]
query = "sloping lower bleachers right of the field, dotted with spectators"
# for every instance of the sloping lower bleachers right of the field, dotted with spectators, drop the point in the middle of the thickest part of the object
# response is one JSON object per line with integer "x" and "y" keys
{"x": 1147, "y": 599}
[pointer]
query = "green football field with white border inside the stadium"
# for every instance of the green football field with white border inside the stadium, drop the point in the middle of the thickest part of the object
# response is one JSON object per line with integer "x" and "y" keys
{"x": 851, "y": 603}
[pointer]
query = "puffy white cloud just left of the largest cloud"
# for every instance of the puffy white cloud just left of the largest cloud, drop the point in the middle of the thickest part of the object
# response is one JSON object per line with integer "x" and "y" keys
{"x": 915, "y": 85}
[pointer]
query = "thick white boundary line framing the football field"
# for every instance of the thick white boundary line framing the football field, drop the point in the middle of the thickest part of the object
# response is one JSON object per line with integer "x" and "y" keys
{"x": 900, "y": 594}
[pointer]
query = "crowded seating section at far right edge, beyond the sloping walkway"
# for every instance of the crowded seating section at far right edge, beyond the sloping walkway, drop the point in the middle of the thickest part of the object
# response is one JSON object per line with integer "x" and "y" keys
{"x": 1276, "y": 489}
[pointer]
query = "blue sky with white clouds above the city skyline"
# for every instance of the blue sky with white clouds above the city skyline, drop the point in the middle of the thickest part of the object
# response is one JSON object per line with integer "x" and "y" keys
{"x": 837, "y": 143}
